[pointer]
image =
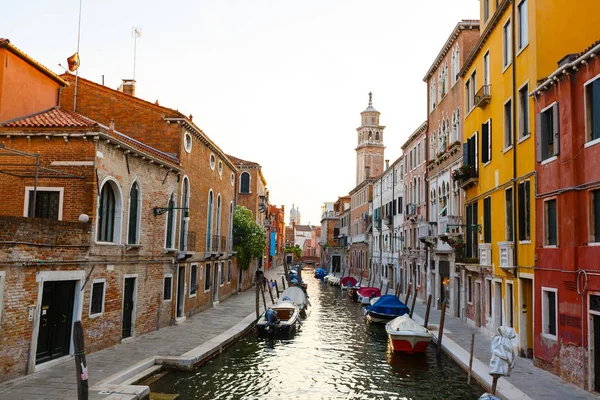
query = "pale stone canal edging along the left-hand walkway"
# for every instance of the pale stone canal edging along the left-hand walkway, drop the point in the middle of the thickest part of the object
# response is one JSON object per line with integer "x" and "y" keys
{"x": 122, "y": 385}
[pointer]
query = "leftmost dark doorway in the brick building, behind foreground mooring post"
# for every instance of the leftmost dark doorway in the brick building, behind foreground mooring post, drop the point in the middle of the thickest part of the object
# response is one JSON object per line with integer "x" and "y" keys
{"x": 56, "y": 320}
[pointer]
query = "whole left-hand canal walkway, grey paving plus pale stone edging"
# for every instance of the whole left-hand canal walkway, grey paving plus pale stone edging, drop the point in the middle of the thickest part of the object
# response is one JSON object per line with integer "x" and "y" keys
{"x": 184, "y": 342}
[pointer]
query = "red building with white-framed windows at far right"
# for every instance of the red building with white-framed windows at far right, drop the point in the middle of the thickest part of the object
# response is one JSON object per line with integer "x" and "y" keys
{"x": 567, "y": 277}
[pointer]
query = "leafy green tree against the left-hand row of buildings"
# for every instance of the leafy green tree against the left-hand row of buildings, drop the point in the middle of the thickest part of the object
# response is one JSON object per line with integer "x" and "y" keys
{"x": 249, "y": 239}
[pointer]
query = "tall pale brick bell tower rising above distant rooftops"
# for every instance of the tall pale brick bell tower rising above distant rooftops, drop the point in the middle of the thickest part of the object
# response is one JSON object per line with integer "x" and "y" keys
{"x": 369, "y": 152}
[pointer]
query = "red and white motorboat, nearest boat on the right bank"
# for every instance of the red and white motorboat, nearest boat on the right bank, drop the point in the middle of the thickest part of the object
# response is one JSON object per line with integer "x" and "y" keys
{"x": 407, "y": 336}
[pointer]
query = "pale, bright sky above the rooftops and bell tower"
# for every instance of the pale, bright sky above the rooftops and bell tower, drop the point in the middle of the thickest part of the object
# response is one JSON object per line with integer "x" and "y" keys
{"x": 278, "y": 82}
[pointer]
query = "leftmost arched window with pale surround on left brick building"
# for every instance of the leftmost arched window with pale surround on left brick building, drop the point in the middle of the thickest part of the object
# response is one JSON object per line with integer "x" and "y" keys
{"x": 109, "y": 213}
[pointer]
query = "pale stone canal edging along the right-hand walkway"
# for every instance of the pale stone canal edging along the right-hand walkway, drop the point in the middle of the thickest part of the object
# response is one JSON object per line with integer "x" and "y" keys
{"x": 480, "y": 372}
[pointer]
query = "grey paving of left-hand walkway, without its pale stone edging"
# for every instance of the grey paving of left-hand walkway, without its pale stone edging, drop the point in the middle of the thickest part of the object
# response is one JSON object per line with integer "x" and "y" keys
{"x": 59, "y": 381}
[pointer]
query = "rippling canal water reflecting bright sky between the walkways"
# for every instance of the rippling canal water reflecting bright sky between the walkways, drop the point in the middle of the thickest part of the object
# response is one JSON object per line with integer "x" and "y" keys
{"x": 335, "y": 355}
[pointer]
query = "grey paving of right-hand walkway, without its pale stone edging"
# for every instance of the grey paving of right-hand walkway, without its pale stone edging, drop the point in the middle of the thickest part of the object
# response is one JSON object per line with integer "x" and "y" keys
{"x": 534, "y": 382}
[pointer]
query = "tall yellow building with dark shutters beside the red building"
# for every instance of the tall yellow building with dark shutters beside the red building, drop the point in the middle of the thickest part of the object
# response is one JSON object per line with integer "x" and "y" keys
{"x": 521, "y": 42}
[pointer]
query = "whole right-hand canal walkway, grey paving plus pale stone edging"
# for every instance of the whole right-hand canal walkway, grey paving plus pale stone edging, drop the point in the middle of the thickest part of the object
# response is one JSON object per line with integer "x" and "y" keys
{"x": 526, "y": 380}
